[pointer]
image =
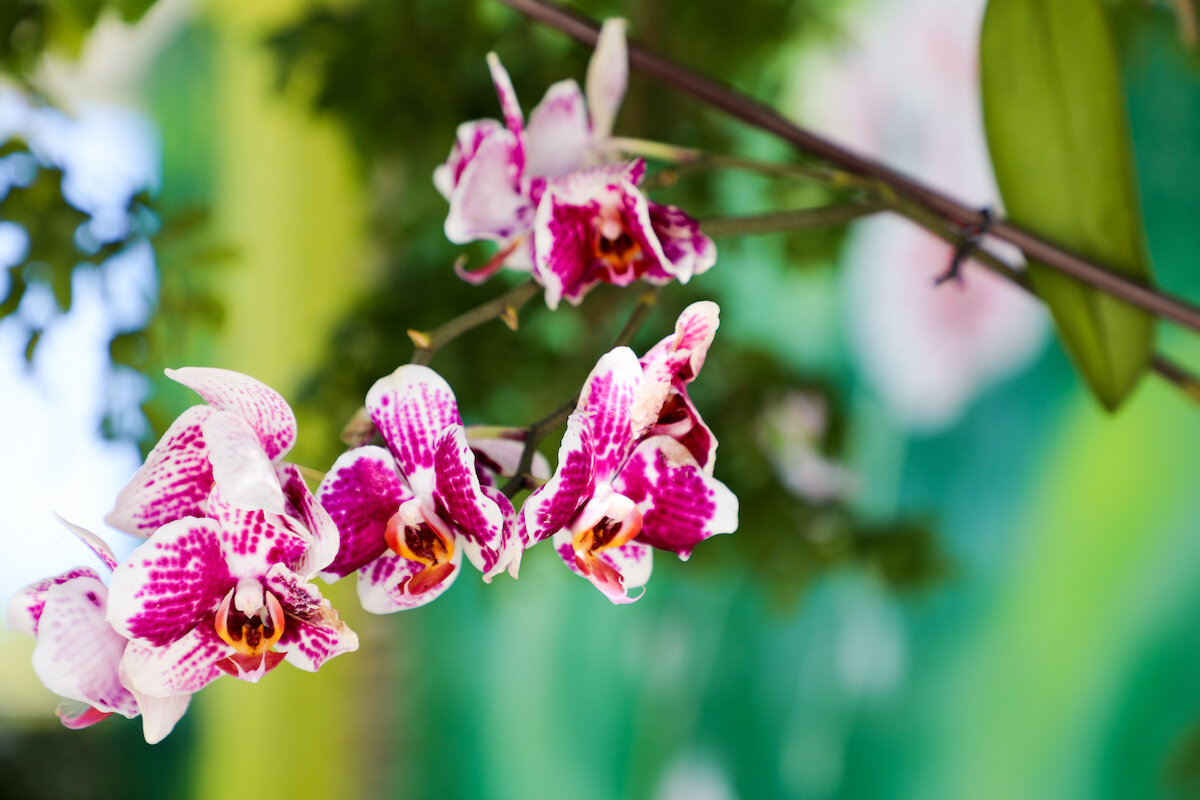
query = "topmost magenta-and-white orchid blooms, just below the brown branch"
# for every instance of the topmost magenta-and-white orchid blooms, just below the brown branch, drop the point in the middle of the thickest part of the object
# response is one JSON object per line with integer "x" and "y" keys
{"x": 545, "y": 196}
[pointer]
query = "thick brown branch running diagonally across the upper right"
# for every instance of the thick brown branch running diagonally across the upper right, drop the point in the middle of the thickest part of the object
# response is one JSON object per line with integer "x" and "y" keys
{"x": 953, "y": 212}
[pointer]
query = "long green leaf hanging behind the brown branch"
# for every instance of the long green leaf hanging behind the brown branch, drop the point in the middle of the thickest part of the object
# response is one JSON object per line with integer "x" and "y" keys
{"x": 1060, "y": 145}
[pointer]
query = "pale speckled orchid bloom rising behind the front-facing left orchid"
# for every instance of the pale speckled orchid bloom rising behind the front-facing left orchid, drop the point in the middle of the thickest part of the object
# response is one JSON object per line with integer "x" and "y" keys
{"x": 236, "y": 442}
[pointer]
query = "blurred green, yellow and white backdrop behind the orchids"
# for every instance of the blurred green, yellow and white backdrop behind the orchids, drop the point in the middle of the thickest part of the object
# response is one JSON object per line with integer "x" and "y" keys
{"x": 955, "y": 576}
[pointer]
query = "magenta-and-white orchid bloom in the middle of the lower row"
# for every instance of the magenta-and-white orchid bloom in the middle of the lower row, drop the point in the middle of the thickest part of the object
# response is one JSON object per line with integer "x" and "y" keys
{"x": 407, "y": 514}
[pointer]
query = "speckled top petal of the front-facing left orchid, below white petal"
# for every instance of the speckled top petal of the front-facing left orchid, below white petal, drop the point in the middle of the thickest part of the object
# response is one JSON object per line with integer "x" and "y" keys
{"x": 254, "y": 542}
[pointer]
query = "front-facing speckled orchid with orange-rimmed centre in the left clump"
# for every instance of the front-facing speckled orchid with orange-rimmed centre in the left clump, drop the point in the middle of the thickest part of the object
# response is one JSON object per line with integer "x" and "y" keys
{"x": 227, "y": 594}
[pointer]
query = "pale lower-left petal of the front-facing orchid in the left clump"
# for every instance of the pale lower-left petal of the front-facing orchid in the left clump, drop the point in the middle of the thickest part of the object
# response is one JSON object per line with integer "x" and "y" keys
{"x": 182, "y": 667}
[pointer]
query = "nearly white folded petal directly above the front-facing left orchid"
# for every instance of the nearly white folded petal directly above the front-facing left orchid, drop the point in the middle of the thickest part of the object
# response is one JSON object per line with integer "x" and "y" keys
{"x": 241, "y": 466}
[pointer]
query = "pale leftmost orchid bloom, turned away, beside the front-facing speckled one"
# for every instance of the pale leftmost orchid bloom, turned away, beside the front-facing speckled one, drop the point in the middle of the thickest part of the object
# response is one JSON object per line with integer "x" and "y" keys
{"x": 79, "y": 654}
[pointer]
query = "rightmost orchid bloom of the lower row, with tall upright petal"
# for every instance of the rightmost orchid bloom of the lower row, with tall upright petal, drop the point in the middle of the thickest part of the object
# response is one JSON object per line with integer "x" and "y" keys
{"x": 625, "y": 484}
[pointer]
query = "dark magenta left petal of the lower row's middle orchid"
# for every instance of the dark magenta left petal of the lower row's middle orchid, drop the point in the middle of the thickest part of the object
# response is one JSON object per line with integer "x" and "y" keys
{"x": 362, "y": 492}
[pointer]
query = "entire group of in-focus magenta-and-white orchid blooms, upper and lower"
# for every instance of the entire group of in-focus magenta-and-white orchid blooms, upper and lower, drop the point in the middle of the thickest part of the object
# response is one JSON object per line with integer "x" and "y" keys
{"x": 233, "y": 537}
